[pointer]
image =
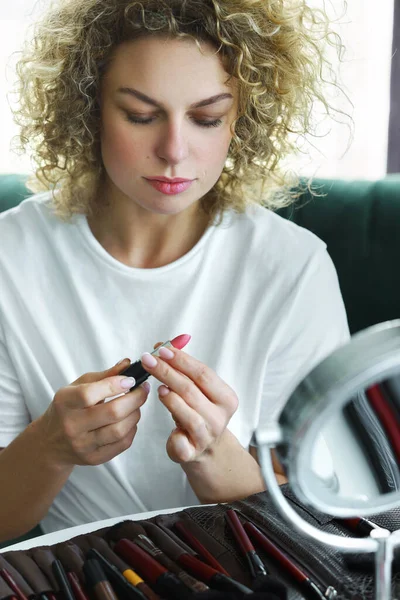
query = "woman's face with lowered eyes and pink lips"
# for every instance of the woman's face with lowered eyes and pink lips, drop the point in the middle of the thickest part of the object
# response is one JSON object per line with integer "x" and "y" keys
{"x": 158, "y": 82}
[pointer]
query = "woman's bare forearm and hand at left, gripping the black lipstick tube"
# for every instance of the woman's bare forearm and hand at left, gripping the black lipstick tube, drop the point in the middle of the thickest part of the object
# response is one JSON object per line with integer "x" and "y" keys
{"x": 77, "y": 429}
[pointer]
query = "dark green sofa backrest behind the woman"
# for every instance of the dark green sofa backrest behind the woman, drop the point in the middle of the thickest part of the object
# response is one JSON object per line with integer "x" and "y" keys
{"x": 360, "y": 223}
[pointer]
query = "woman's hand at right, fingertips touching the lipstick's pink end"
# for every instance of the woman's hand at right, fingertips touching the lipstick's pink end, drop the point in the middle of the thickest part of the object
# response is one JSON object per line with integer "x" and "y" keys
{"x": 200, "y": 402}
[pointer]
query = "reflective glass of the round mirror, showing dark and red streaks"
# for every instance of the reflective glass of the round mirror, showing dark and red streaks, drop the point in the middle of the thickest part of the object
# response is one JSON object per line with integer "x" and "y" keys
{"x": 363, "y": 461}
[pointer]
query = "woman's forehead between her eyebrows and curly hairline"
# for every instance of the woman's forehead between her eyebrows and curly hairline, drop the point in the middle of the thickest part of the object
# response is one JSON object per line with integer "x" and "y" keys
{"x": 162, "y": 65}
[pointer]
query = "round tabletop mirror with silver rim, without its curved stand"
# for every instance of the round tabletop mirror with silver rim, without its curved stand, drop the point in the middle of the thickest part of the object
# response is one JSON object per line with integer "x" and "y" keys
{"x": 340, "y": 429}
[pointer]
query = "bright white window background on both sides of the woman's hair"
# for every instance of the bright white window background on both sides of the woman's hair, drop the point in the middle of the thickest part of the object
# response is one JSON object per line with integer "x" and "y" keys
{"x": 365, "y": 74}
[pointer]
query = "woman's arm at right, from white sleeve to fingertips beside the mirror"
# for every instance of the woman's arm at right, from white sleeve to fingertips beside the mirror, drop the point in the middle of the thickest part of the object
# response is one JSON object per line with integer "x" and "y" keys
{"x": 217, "y": 466}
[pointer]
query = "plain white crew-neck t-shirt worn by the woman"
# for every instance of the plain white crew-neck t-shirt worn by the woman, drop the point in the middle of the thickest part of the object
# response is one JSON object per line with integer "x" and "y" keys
{"x": 258, "y": 294}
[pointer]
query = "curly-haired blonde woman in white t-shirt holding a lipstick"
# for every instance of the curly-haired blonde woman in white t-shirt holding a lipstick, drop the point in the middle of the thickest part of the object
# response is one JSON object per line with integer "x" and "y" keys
{"x": 115, "y": 97}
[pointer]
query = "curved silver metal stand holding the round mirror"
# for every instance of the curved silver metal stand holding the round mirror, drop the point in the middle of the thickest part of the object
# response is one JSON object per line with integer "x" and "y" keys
{"x": 381, "y": 541}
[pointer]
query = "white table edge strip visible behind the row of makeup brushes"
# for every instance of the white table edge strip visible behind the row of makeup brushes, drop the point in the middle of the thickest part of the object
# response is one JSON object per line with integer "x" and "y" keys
{"x": 65, "y": 534}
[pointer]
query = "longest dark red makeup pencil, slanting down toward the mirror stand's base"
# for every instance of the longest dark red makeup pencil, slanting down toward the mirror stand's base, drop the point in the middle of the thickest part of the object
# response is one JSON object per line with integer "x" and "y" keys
{"x": 308, "y": 586}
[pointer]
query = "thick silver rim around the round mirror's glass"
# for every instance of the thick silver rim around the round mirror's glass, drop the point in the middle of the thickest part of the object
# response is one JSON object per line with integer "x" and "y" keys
{"x": 370, "y": 357}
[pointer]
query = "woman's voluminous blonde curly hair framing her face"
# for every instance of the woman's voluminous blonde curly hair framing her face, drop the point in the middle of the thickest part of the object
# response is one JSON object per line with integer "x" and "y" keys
{"x": 273, "y": 48}
